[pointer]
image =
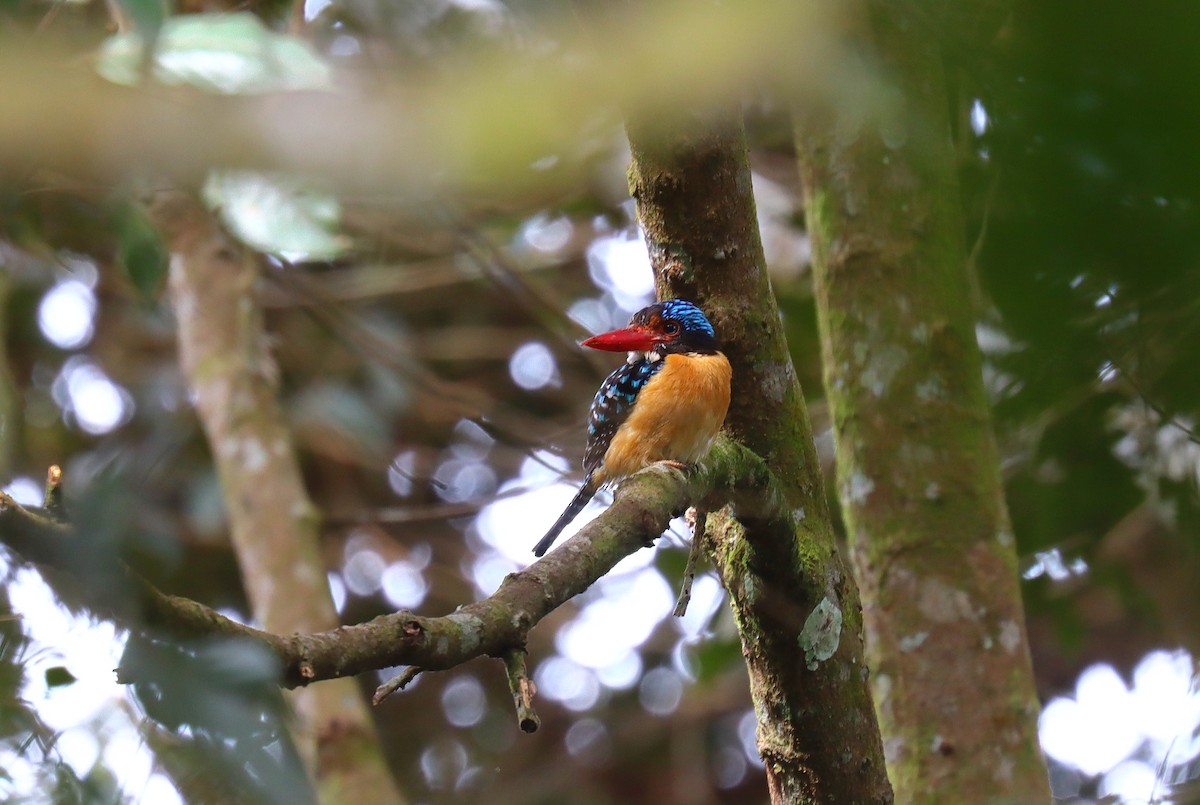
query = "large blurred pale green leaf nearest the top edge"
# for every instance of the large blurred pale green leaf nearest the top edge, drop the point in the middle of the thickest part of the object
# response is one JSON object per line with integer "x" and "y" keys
{"x": 232, "y": 55}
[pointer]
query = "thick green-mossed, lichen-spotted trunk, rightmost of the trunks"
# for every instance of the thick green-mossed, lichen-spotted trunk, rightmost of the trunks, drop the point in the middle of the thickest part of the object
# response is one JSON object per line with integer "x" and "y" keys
{"x": 919, "y": 473}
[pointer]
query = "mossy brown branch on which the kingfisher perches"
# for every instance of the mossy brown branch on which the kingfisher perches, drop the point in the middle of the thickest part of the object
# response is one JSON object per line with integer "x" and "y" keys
{"x": 495, "y": 627}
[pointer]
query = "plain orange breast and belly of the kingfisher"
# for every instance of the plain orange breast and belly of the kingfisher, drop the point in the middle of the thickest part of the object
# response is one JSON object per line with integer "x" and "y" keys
{"x": 676, "y": 417}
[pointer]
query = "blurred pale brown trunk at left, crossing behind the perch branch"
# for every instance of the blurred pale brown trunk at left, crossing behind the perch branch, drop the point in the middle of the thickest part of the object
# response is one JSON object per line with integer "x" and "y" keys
{"x": 275, "y": 527}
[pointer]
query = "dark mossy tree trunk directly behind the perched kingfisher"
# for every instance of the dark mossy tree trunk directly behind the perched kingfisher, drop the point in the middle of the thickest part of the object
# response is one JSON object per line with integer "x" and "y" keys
{"x": 796, "y": 604}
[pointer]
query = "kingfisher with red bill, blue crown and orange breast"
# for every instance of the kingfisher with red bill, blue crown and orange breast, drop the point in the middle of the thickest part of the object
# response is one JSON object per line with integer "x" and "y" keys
{"x": 665, "y": 405}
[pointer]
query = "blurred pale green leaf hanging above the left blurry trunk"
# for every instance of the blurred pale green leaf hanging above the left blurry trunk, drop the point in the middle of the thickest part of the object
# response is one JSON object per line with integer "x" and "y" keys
{"x": 278, "y": 214}
